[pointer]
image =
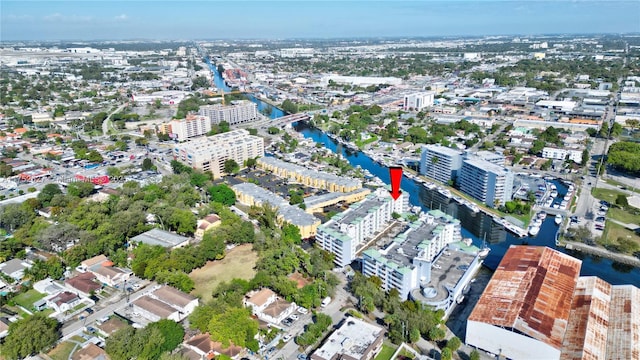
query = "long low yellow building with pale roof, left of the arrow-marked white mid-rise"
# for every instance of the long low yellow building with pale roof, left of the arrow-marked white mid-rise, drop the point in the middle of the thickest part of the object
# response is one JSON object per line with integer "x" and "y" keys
{"x": 251, "y": 194}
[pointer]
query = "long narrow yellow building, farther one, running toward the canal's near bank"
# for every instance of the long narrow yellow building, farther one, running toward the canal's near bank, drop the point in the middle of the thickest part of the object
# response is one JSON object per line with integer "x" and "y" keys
{"x": 308, "y": 177}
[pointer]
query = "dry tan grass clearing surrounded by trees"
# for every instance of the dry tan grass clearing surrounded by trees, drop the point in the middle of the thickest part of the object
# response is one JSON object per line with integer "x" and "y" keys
{"x": 238, "y": 263}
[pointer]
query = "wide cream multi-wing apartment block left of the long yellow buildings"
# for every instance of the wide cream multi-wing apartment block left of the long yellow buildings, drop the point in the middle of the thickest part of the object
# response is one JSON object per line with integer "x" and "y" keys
{"x": 209, "y": 153}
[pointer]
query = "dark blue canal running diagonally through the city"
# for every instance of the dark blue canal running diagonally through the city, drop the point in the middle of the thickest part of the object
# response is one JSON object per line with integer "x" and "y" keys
{"x": 476, "y": 226}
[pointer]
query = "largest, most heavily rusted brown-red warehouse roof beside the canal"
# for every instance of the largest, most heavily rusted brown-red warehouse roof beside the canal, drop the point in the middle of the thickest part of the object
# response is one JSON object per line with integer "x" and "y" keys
{"x": 531, "y": 293}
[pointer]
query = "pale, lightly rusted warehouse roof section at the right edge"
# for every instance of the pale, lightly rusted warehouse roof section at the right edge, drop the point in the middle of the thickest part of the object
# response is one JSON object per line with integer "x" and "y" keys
{"x": 623, "y": 338}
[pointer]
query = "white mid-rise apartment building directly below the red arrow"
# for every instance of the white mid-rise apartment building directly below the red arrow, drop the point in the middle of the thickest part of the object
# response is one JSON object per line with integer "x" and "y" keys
{"x": 346, "y": 233}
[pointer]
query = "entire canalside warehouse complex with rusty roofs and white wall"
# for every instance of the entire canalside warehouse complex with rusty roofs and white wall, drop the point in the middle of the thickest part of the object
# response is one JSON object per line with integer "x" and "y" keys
{"x": 537, "y": 307}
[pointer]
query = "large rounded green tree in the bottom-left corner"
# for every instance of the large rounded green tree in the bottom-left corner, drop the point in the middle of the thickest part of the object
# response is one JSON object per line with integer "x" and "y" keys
{"x": 29, "y": 336}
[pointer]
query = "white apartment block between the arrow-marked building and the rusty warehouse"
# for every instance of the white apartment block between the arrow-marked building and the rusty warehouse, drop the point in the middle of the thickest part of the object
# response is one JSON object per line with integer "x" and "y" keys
{"x": 407, "y": 259}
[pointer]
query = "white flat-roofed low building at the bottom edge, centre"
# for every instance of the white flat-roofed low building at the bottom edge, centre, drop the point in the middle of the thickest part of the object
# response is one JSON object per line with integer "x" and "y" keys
{"x": 354, "y": 339}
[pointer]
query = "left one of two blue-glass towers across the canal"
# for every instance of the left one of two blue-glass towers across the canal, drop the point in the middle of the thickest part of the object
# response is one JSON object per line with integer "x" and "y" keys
{"x": 440, "y": 163}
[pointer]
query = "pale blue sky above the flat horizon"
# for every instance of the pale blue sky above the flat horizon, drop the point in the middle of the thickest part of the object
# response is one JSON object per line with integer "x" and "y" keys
{"x": 191, "y": 20}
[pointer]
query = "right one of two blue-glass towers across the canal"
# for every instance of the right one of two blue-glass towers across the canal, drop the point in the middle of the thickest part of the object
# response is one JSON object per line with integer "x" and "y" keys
{"x": 485, "y": 181}
